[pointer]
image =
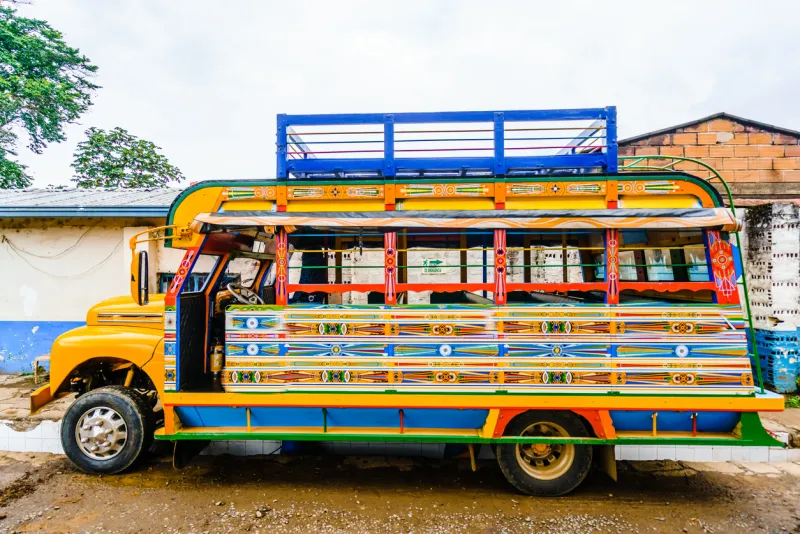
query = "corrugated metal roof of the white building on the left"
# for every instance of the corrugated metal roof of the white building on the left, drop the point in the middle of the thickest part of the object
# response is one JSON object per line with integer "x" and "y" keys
{"x": 99, "y": 202}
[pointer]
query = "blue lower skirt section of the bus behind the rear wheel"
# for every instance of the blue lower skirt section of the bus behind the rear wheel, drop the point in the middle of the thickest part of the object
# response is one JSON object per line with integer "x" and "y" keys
{"x": 675, "y": 421}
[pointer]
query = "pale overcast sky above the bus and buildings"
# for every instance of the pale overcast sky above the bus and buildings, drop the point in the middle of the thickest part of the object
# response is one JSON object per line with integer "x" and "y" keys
{"x": 204, "y": 80}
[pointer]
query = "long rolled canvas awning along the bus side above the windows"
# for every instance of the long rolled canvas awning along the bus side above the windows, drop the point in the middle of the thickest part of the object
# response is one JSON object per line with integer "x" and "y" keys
{"x": 716, "y": 218}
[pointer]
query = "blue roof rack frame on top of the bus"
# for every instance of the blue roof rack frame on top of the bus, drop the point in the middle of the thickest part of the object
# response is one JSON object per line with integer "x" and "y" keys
{"x": 504, "y": 143}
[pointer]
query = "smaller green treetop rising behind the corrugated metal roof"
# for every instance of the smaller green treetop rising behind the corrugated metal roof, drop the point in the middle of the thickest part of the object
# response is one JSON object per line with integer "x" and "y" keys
{"x": 116, "y": 158}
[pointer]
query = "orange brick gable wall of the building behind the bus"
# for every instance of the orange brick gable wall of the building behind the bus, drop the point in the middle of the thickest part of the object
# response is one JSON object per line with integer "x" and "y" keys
{"x": 756, "y": 163}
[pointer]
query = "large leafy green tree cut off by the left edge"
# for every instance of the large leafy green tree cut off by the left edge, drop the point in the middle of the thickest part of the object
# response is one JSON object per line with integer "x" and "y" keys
{"x": 44, "y": 85}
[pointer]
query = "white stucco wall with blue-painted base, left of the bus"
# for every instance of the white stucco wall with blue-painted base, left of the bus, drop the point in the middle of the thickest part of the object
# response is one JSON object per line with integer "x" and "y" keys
{"x": 53, "y": 270}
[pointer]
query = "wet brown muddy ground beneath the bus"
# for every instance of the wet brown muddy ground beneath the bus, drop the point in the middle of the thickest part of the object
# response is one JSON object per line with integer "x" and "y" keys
{"x": 44, "y": 493}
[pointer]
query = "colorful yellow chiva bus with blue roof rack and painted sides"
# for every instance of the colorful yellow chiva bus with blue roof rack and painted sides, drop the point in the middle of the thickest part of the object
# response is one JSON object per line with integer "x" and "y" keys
{"x": 531, "y": 298}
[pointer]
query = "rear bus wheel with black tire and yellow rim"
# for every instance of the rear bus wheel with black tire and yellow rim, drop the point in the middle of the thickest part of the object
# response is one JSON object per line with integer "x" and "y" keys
{"x": 558, "y": 475}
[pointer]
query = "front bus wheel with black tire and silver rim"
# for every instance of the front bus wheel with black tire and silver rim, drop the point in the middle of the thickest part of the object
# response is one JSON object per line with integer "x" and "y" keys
{"x": 115, "y": 406}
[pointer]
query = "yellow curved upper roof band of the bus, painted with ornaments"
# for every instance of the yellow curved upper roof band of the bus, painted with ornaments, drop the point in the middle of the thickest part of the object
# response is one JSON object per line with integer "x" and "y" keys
{"x": 637, "y": 194}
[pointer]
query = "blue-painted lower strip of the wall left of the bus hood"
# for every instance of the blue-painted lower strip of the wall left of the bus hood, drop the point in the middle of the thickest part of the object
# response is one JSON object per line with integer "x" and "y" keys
{"x": 22, "y": 341}
